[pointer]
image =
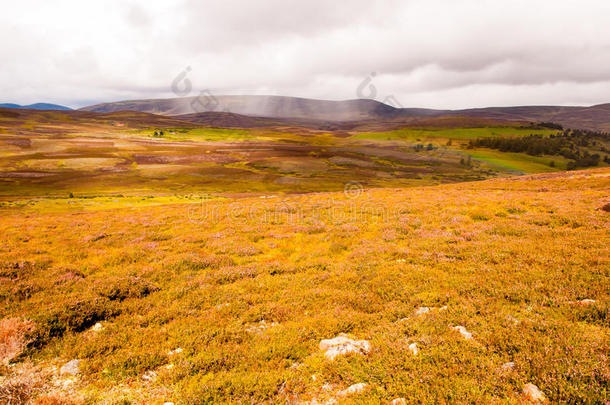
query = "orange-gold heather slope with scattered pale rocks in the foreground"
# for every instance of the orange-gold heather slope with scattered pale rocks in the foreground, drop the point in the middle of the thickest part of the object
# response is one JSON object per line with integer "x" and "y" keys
{"x": 505, "y": 256}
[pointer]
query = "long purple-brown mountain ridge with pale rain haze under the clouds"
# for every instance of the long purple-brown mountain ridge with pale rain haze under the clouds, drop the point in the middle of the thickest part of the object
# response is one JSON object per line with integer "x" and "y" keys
{"x": 293, "y": 108}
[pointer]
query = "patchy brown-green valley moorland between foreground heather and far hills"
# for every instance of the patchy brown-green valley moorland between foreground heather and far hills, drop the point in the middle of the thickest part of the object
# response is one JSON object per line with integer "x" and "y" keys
{"x": 92, "y": 154}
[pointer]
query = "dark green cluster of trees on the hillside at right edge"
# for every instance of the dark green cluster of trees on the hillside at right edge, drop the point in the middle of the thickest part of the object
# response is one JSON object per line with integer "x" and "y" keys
{"x": 571, "y": 144}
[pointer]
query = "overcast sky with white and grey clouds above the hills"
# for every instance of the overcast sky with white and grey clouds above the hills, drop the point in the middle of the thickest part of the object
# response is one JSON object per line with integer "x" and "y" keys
{"x": 424, "y": 53}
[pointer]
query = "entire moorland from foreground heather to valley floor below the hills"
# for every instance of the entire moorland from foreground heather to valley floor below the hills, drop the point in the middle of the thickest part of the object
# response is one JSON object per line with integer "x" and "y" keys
{"x": 195, "y": 264}
